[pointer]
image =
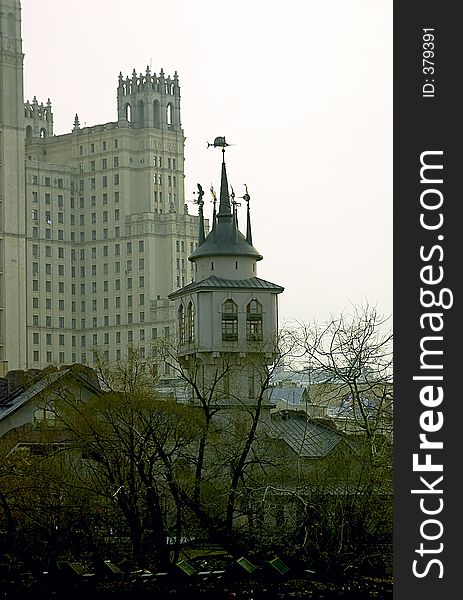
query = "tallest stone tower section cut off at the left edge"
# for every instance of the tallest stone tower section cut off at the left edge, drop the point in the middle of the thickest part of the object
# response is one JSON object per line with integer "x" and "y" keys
{"x": 12, "y": 190}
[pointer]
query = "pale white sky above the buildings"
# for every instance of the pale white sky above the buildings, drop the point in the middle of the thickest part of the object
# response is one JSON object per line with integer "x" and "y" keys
{"x": 303, "y": 88}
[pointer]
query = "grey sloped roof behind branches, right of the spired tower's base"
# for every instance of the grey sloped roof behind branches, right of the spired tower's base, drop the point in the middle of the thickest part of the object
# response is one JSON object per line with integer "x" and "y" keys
{"x": 306, "y": 437}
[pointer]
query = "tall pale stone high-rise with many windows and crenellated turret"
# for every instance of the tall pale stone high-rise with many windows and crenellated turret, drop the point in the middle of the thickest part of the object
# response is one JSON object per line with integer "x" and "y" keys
{"x": 94, "y": 230}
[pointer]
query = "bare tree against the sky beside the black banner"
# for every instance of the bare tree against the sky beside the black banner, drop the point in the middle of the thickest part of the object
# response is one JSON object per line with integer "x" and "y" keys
{"x": 352, "y": 355}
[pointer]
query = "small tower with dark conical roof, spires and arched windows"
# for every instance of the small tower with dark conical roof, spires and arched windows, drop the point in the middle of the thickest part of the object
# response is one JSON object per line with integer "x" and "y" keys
{"x": 227, "y": 319}
